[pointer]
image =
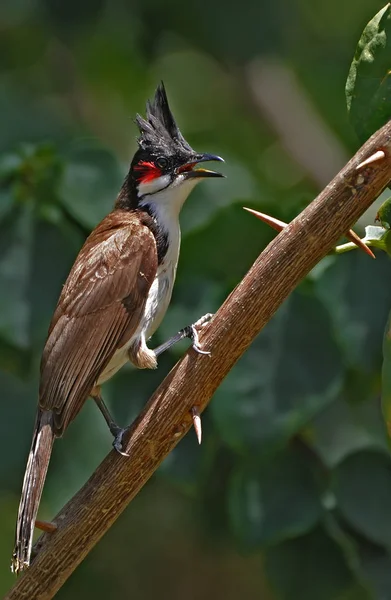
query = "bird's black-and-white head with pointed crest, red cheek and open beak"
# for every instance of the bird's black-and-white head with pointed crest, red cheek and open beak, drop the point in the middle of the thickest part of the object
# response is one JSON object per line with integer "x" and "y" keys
{"x": 165, "y": 168}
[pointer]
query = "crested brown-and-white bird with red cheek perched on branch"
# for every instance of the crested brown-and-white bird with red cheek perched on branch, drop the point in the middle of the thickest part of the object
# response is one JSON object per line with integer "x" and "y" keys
{"x": 114, "y": 298}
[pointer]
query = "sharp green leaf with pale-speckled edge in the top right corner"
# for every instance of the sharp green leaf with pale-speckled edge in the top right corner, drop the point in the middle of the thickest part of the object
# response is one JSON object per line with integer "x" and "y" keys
{"x": 368, "y": 87}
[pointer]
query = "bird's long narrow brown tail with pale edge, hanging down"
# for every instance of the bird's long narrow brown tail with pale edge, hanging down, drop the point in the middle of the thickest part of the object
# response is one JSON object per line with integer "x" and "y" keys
{"x": 34, "y": 479}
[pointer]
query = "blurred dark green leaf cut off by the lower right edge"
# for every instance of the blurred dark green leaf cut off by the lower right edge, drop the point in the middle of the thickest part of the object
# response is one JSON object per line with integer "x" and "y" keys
{"x": 362, "y": 487}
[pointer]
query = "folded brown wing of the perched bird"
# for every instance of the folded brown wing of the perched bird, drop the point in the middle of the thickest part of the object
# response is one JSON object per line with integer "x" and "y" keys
{"x": 98, "y": 311}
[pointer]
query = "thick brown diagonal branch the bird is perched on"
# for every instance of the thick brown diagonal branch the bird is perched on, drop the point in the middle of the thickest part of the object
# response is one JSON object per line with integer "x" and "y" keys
{"x": 192, "y": 382}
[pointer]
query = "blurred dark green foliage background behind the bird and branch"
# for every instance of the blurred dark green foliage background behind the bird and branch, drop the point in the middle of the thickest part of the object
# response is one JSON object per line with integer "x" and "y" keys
{"x": 289, "y": 495}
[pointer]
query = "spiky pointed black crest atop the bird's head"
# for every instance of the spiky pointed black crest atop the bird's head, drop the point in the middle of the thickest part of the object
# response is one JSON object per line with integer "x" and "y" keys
{"x": 159, "y": 129}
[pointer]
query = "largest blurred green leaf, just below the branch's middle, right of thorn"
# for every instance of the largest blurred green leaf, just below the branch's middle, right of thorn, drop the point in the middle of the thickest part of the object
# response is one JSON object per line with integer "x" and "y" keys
{"x": 290, "y": 373}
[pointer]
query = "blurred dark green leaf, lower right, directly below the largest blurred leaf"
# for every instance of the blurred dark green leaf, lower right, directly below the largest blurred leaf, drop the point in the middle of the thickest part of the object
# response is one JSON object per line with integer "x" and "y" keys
{"x": 274, "y": 501}
